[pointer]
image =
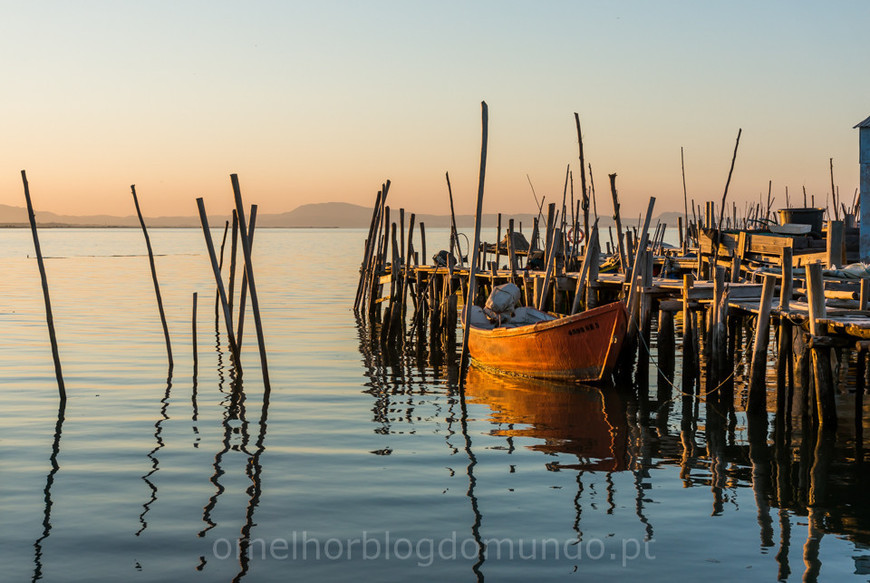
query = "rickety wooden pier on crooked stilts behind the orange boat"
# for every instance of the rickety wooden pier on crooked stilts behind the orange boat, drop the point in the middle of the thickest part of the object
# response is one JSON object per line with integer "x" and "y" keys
{"x": 792, "y": 297}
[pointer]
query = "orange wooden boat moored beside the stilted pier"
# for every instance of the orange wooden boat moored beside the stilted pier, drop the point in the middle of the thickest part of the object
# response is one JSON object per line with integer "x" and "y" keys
{"x": 583, "y": 347}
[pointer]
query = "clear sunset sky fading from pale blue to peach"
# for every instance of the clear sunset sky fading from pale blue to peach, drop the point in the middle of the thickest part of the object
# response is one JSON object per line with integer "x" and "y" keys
{"x": 323, "y": 101}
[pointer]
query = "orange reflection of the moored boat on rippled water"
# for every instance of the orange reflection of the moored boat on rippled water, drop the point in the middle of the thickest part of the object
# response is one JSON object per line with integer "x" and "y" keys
{"x": 585, "y": 421}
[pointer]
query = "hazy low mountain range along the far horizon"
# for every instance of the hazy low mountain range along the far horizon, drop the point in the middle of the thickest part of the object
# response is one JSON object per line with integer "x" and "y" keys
{"x": 319, "y": 215}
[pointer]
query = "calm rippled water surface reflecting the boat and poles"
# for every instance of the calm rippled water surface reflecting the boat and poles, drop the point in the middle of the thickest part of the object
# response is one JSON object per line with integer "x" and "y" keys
{"x": 361, "y": 466}
